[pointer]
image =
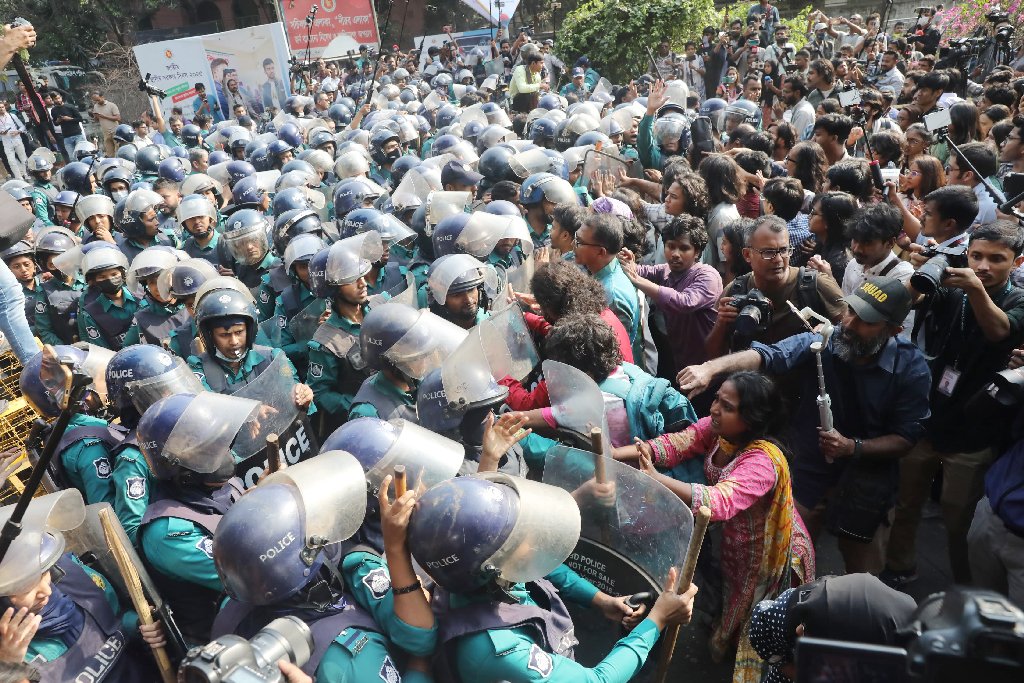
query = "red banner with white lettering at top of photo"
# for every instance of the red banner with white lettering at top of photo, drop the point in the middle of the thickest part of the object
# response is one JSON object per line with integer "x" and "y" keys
{"x": 338, "y": 27}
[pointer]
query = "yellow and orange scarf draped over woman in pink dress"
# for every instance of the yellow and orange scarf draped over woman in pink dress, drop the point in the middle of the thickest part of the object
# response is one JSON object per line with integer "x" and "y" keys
{"x": 779, "y": 558}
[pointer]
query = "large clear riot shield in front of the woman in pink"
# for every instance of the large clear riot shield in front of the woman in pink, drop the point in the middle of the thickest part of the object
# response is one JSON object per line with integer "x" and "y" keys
{"x": 632, "y": 536}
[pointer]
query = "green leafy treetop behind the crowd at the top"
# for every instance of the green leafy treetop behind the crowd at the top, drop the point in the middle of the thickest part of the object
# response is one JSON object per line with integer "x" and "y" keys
{"x": 615, "y": 33}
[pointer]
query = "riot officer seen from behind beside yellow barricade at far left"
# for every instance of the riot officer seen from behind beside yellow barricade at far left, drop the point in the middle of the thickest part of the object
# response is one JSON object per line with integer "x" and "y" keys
{"x": 83, "y": 458}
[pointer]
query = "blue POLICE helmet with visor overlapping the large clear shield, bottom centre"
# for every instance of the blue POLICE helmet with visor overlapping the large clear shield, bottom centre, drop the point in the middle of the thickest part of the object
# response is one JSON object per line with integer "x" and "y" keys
{"x": 472, "y": 532}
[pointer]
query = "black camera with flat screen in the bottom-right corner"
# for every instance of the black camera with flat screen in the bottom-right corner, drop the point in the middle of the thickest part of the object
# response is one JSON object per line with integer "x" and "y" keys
{"x": 960, "y": 635}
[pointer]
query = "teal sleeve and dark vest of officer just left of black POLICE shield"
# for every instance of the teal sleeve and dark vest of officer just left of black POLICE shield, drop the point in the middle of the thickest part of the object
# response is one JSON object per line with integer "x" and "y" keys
{"x": 177, "y": 544}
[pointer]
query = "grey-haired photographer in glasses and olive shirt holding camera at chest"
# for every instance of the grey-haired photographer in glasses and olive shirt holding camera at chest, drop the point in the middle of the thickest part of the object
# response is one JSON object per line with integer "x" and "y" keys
{"x": 767, "y": 250}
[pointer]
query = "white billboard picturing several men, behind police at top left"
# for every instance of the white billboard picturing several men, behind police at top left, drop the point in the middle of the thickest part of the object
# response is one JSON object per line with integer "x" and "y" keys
{"x": 253, "y": 61}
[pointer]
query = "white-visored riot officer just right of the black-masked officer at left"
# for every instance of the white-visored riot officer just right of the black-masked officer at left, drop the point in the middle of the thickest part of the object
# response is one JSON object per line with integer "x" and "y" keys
{"x": 158, "y": 315}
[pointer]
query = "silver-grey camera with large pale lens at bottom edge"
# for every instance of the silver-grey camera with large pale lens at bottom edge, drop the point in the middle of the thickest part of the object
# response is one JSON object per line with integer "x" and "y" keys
{"x": 235, "y": 660}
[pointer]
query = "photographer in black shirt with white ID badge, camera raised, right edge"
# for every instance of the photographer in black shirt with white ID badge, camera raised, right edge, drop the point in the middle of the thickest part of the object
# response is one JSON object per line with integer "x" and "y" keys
{"x": 967, "y": 328}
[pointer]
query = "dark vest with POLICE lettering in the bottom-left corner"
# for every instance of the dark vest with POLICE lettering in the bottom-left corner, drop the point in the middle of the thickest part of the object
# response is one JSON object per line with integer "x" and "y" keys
{"x": 99, "y": 655}
